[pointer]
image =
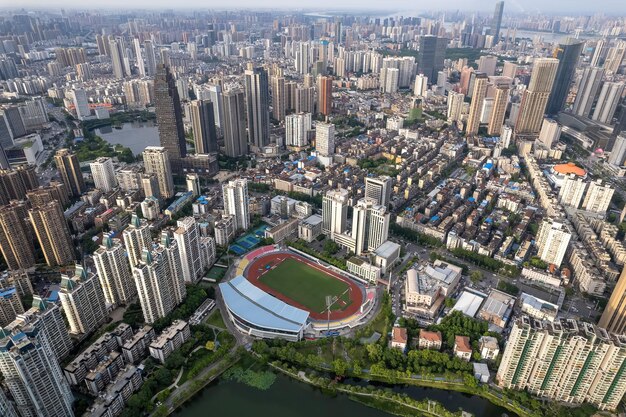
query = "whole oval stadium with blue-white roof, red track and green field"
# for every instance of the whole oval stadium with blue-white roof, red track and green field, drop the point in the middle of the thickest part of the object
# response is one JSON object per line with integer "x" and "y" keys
{"x": 284, "y": 293}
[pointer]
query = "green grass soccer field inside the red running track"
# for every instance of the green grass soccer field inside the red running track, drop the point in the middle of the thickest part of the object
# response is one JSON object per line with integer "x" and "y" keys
{"x": 306, "y": 285}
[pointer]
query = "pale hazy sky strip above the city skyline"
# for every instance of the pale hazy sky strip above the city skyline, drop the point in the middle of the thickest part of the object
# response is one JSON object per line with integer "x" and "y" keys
{"x": 404, "y": 6}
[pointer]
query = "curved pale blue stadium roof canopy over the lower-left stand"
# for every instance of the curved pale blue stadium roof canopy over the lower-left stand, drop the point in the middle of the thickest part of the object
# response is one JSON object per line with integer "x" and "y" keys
{"x": 257, "y": 307}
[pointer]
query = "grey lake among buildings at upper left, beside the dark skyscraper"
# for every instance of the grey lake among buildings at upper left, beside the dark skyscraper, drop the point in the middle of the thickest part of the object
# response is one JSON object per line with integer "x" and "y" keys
{"x": 133, "y": 135}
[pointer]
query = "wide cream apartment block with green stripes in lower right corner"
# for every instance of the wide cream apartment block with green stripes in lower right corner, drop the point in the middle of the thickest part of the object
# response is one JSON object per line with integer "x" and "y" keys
{"x": 565, "y": 360}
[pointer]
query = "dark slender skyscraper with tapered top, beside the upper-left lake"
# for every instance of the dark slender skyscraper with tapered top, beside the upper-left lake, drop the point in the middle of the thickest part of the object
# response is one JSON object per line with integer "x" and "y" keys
{"x": 169, "y": 117}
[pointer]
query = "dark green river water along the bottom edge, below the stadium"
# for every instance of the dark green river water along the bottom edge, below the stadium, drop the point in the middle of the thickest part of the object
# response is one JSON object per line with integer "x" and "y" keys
{"x": 288, "y": 398}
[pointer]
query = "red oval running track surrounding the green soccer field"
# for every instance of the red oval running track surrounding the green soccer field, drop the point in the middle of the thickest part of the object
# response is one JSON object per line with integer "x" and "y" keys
{"x": 254, "y": 271}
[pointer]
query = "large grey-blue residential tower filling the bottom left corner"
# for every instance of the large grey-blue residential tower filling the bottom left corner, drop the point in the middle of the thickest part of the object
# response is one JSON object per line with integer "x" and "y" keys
{"x": 33, "y": 376}
